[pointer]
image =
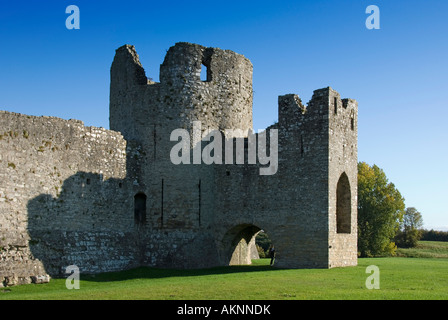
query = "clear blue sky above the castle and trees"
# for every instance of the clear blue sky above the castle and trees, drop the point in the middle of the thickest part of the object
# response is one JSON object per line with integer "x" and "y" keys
{"x": 398, "y": 74}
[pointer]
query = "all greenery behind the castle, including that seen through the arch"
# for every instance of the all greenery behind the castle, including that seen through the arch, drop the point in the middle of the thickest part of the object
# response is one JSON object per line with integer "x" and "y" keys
{"x": 384, "y": 221}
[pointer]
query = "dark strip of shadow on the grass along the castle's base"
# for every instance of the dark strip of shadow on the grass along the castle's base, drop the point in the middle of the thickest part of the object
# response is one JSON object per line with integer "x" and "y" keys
{"x": 156, "y": 273}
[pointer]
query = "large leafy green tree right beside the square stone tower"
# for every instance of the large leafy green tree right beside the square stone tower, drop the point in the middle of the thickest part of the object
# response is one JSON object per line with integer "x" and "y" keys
{"x": 380, "y": 210}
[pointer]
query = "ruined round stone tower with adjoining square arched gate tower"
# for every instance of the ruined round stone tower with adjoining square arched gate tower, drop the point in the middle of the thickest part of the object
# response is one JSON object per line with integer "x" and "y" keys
{"x": 308, "y": 207}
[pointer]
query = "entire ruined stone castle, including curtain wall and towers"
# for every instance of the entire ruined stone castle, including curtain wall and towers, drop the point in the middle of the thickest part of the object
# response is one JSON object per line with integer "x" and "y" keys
{"x": 108, "y": 200}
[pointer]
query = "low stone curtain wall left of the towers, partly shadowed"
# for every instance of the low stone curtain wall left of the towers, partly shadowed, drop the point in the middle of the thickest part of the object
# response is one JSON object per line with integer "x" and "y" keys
{"x": 60, "y": 191}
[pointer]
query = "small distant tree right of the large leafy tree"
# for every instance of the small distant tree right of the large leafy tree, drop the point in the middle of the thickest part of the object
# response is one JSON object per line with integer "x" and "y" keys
{"x": 410, "y": 229}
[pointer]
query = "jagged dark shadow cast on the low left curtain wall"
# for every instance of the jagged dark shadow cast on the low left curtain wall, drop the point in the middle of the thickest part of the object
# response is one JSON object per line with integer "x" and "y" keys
{"x": 89, "y": 224}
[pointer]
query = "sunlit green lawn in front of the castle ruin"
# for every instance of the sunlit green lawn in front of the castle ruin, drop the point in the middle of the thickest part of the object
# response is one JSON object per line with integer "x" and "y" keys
{"x": 400, "y": 278}
